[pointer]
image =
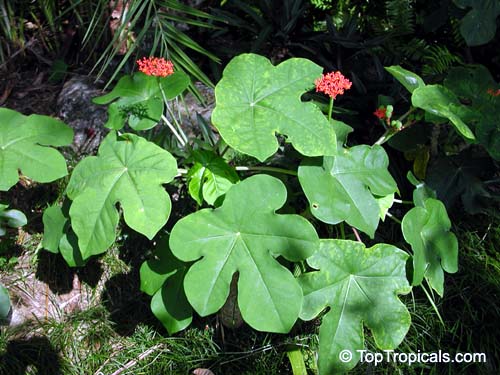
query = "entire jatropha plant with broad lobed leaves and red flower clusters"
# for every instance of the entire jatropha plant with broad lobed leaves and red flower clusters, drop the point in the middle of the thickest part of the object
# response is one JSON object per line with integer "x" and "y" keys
{"x": 237, "y": 234}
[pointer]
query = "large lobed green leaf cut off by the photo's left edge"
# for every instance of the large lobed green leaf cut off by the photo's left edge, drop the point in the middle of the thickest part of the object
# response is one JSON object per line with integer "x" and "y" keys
{"x": 23, "y": 146}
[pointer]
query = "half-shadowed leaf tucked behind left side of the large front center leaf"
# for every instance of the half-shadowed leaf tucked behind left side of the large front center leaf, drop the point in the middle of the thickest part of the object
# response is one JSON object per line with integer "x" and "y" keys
{"x": 162, "y": 277}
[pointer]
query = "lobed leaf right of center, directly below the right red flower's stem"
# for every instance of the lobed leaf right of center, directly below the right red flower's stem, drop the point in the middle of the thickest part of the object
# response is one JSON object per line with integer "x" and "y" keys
{"x": 343, "y": 187}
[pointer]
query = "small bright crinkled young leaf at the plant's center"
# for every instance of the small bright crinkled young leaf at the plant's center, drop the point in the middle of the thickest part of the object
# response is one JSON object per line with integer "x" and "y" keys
{"x": 210, "y": 177}
